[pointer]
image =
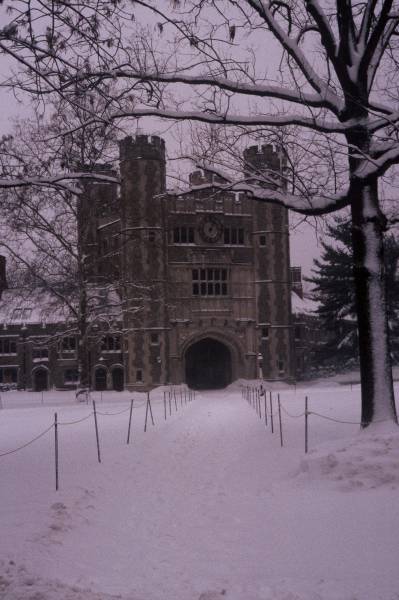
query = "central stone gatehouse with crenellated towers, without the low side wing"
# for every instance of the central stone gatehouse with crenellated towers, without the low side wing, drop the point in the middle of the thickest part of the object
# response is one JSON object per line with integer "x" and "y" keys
{"x": 204, "y": 277}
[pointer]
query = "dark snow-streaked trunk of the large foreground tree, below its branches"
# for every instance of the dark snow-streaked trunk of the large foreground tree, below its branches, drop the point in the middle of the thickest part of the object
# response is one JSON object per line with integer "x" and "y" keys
{"x": 368, "y": 225}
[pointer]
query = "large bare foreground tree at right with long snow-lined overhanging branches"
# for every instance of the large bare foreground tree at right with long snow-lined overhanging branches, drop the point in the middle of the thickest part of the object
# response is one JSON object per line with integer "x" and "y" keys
{"x": 329, "y": 78}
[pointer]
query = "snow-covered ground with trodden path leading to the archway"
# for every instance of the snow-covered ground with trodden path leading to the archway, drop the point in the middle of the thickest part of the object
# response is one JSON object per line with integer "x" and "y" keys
{"x": 205, "y": 505}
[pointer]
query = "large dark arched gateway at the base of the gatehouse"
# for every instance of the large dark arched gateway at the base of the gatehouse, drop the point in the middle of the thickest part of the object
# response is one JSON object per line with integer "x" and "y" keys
{"x": 208, "y": 365}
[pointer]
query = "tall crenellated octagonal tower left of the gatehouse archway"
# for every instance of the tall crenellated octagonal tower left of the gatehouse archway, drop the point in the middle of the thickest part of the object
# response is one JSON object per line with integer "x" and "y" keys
{"x": 144, "y": 259}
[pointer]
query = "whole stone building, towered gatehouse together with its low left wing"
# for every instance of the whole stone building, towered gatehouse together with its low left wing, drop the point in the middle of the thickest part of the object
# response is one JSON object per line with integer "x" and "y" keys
{"x": 202, "y": 279}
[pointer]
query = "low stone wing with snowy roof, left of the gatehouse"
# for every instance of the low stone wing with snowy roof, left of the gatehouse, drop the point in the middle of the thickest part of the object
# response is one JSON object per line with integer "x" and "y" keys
{"x": 39, "y": 344}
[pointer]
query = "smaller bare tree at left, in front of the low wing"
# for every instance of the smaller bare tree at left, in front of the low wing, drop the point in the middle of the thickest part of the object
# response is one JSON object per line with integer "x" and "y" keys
{"x": 45, "y": 231}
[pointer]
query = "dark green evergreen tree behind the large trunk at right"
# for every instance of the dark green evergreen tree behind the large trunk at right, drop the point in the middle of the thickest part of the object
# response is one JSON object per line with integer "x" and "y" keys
{"x": 333, "y": 289}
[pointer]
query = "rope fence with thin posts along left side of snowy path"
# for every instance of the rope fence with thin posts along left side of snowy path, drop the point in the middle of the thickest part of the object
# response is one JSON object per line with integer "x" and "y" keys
{"x": 179, "y": 395}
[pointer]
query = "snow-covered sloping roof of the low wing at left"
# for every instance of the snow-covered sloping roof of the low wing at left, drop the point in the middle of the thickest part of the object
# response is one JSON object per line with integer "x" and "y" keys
{"x": 20, "y": 306}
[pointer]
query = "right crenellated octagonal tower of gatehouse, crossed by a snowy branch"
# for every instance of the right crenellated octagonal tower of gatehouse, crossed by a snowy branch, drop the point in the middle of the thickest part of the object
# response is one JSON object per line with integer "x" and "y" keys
{"x": 264, "y": 166}
